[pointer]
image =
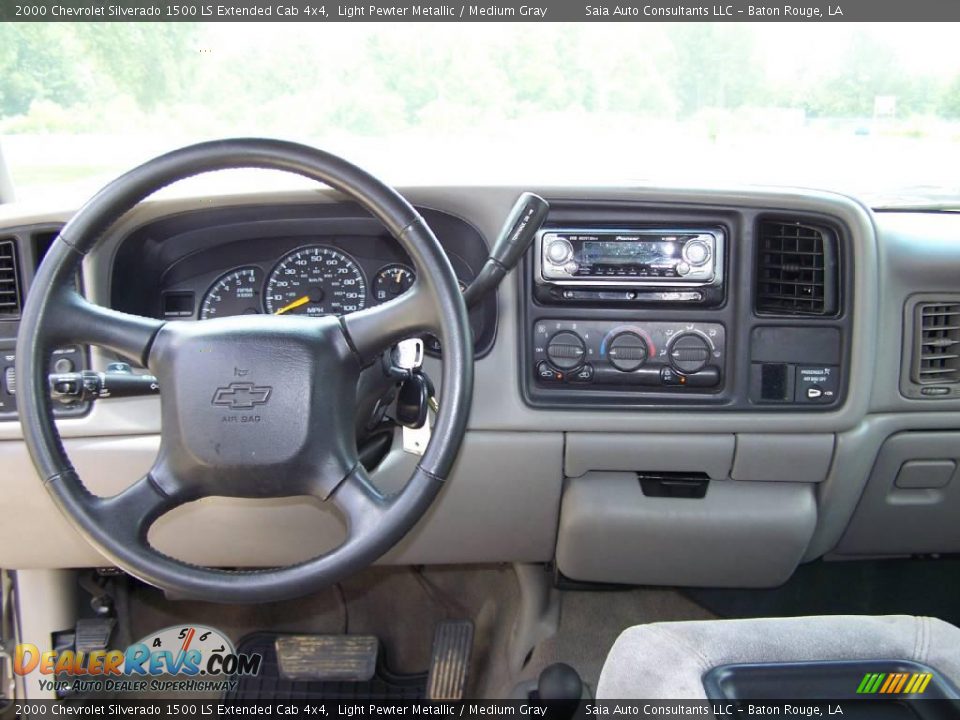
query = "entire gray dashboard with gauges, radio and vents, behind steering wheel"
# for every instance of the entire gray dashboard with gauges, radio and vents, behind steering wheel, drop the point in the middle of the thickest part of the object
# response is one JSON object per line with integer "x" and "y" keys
{"x": 675, "y": 386}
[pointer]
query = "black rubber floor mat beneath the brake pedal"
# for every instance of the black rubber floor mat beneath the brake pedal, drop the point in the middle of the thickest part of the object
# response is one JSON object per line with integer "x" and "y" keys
{"x": 269, "y": 685}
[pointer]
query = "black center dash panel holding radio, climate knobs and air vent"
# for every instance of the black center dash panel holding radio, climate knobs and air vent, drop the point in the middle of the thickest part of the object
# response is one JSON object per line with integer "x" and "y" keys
{"x": 685, "y": 307}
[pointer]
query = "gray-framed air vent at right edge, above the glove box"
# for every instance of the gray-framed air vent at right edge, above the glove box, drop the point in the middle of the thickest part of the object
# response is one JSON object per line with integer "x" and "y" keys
{"x": 936, "y": 358}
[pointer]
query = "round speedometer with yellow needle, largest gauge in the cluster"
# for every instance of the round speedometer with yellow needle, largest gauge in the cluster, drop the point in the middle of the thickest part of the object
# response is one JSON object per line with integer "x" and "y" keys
{"x": 316, "y": 280}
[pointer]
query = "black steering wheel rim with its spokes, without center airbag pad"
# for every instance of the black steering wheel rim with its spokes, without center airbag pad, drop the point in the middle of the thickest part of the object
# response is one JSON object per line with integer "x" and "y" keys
{"x": 55, "y": 314}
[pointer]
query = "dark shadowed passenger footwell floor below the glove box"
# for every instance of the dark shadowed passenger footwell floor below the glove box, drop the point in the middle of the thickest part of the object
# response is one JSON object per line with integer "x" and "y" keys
{"x": 862, "y": 587}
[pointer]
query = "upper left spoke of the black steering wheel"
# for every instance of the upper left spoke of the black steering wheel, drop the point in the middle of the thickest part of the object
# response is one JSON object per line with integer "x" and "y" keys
{"x": 80, "y": 321}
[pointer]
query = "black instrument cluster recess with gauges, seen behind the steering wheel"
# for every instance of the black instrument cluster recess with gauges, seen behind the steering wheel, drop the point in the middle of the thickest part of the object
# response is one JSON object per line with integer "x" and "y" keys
{"x": 300, "y": 261}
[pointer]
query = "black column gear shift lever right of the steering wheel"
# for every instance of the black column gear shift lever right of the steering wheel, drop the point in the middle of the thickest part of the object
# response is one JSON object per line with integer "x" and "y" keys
{"x": 526, "y": 217}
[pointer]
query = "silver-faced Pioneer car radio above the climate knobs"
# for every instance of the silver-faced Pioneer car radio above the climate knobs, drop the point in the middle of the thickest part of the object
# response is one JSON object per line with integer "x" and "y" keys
{"x": 674, "y": 265}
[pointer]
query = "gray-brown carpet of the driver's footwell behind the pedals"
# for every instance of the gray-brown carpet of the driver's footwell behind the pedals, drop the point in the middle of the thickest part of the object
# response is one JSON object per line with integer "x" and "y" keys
{"x": 368, "y": 603}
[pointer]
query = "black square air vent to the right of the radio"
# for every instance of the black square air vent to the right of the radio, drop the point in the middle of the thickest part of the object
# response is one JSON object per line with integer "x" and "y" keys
{"x": 796, "y": 269}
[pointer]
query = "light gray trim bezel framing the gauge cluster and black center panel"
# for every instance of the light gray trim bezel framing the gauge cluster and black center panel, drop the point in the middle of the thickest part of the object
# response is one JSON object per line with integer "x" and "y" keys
{"x": 484, "y": 207}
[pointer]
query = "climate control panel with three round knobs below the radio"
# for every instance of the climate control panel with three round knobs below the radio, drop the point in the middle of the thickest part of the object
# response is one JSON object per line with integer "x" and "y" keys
{"x": 678, "y": 356}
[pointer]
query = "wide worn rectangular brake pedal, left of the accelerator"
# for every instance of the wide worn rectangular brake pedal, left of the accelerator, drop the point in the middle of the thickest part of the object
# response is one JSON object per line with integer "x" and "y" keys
{"x": 346, "y": 658}
